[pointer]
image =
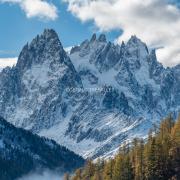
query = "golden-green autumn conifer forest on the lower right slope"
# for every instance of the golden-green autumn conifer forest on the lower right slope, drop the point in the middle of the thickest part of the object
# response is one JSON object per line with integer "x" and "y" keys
{"x": 154, "y": 158}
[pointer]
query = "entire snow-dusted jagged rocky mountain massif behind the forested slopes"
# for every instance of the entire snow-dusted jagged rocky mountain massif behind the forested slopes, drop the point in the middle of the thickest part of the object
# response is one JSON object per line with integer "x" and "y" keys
{"x": 91, "y": 99}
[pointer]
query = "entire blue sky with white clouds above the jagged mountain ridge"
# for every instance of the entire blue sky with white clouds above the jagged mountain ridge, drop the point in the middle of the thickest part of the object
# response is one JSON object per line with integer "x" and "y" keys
{"x": 156, "y": 22}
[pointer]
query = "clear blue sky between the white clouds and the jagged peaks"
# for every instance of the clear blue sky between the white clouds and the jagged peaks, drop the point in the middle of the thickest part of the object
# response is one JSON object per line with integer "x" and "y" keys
{"x": 16, "y": 29}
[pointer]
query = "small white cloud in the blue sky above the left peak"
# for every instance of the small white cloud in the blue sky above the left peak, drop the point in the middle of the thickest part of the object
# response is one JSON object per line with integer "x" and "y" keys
{"x": 36, "y": 8}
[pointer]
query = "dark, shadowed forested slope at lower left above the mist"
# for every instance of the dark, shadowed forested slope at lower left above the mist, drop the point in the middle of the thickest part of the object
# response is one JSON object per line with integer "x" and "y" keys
{"x": 22, "y": 152}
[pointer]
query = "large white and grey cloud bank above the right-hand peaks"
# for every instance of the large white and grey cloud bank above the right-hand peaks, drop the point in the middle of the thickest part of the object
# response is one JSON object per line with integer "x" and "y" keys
{"x": 154, "y": 21}
